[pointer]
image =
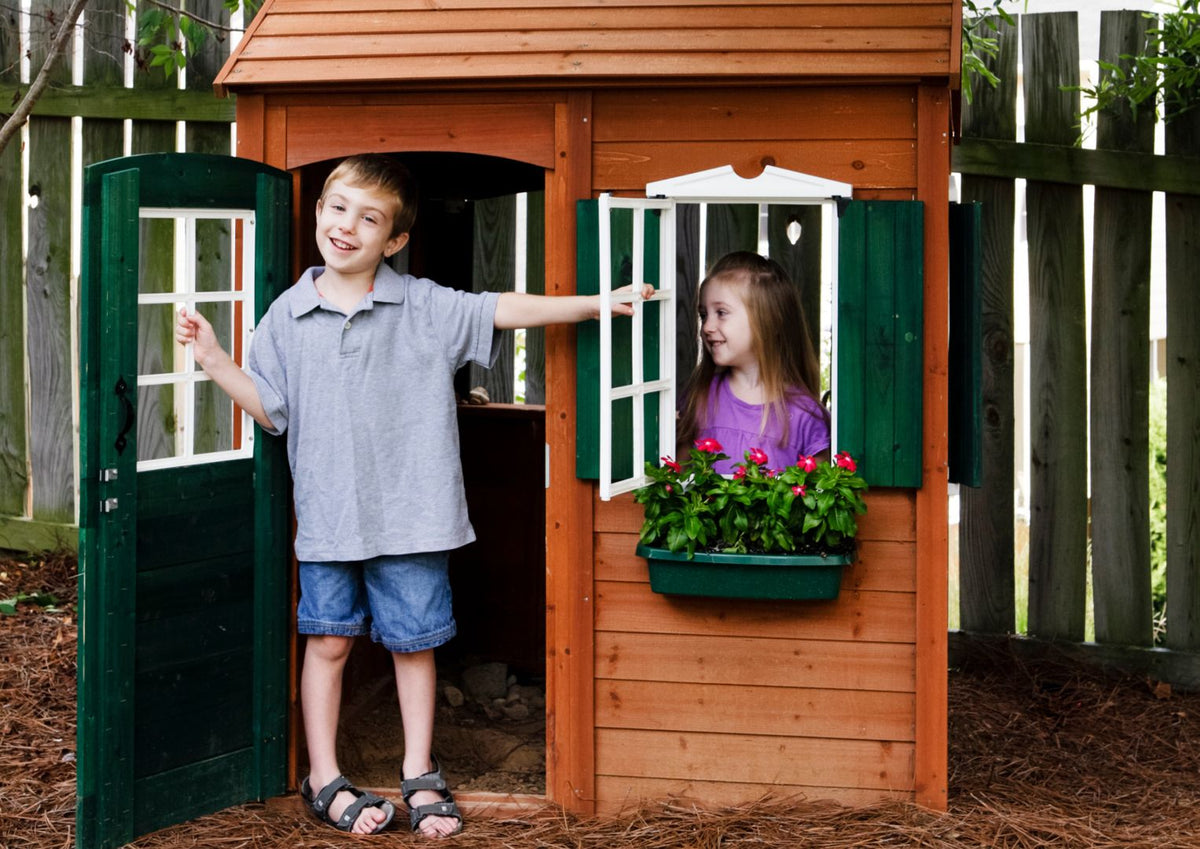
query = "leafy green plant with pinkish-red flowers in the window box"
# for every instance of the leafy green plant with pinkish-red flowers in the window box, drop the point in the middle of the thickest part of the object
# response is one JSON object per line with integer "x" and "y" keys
{"x": 808, "y": 508}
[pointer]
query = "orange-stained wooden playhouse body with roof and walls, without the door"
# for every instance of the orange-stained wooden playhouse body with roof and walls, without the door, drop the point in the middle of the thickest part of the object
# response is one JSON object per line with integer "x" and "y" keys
{"x": 651, "y": 696}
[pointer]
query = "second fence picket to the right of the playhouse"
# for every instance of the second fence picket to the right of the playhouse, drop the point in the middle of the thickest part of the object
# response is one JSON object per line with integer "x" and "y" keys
{"x": 1059, "y": 394}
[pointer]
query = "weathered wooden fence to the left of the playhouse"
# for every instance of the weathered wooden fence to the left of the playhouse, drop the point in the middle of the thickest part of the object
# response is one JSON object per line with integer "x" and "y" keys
{"x": 39, "y": 374}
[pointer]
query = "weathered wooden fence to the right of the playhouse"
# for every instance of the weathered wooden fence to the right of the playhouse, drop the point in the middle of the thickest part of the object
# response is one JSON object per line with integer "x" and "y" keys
{"x": 1084, "y": 505}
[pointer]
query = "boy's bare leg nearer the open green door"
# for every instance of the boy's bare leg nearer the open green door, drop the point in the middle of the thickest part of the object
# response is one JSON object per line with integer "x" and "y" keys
{"x": 321, "y": 696}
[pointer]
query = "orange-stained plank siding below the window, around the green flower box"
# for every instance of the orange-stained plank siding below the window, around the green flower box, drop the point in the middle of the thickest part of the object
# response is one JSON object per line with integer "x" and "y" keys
{"x": 811, "y": 699}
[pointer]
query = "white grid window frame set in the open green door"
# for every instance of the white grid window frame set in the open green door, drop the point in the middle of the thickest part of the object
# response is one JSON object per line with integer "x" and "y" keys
{"x": 185, "y": 375}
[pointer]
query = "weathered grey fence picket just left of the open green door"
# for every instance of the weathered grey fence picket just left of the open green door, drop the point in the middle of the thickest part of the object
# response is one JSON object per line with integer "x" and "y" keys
{"x": 49, "y": 303}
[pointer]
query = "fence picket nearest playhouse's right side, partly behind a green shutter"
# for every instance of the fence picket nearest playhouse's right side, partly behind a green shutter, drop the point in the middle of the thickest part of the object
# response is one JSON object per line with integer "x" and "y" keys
{"x": 987, "y": 594}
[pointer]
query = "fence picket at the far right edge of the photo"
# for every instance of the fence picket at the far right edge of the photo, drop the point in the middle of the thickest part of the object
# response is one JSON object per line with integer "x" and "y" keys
{"x": 1184, "y": 399}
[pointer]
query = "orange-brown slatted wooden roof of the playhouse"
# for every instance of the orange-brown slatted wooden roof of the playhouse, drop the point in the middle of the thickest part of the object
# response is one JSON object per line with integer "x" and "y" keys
{"x": 573, "y": 43}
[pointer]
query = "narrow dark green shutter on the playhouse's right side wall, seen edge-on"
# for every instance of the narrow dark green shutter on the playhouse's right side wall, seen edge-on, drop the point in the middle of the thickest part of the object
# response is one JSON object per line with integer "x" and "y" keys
{"x": 965, "y": 395}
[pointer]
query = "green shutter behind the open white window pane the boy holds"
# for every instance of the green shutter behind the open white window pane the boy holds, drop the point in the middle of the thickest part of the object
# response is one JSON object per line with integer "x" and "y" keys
{"x": 587, "y": 422}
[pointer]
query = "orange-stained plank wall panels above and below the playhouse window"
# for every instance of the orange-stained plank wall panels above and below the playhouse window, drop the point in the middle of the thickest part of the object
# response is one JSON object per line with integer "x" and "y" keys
{"x": 713, "y": 700}
